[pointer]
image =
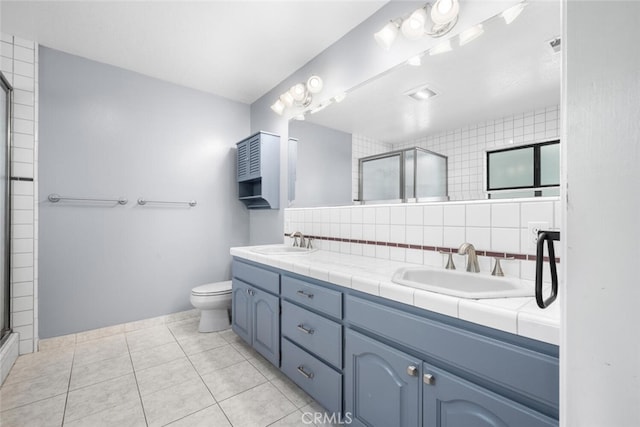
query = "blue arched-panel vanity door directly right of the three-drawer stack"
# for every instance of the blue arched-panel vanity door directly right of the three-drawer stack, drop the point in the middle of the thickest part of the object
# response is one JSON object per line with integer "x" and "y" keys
{"x": 381, "y": 384}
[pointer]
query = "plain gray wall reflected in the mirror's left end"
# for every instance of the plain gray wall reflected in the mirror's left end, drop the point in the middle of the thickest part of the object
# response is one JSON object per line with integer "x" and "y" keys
{"x": 323, "y": 165}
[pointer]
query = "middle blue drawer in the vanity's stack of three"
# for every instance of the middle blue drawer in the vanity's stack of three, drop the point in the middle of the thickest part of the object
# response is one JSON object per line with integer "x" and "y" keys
{"x": 316, "y": 334}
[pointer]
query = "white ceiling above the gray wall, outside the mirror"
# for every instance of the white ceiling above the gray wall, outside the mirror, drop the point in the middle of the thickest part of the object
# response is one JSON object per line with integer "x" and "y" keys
{"x": 236, "y": 49}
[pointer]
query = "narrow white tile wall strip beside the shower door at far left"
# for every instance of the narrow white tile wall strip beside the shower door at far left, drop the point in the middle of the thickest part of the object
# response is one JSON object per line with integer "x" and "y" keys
{"x": 19, "y": 64}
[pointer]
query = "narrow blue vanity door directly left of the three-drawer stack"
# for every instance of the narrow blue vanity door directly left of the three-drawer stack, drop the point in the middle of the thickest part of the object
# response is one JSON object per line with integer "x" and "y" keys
{"x": 266, "y": 325}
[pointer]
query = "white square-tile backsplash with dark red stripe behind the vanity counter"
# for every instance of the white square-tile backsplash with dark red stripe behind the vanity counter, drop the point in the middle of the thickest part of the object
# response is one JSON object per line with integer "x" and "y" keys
{"x": 418, "y": 233}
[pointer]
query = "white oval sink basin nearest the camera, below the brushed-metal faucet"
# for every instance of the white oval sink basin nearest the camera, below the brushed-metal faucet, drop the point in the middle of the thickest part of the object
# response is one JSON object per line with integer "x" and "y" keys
{"x": 462, "y": 284}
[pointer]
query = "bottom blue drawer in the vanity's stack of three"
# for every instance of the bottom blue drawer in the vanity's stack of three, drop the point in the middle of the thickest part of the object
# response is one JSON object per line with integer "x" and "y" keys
{"x": 310, "y": 374}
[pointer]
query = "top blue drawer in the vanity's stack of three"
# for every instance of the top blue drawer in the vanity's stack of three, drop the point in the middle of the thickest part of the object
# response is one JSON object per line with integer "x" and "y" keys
{"x": 313, "y": 296}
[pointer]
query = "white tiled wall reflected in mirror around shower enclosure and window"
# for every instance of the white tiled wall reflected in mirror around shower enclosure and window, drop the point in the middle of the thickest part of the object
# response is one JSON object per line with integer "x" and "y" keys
{"x": 466, "y": 147}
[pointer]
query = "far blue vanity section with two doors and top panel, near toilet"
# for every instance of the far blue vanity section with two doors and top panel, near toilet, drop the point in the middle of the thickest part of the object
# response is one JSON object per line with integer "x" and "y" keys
{"x": 256, "y": 309}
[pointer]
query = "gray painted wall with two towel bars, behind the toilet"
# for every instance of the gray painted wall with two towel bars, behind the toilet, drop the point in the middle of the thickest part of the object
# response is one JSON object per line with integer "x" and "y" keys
{"x": 107, "y": 132}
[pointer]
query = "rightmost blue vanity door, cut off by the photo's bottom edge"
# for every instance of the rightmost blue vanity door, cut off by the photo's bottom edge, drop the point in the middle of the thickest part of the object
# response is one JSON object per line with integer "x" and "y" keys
{"x": 450, "y": 401}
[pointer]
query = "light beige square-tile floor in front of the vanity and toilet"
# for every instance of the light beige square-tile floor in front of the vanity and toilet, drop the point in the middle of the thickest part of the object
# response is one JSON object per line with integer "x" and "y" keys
{"x": 166, "y": 374}
